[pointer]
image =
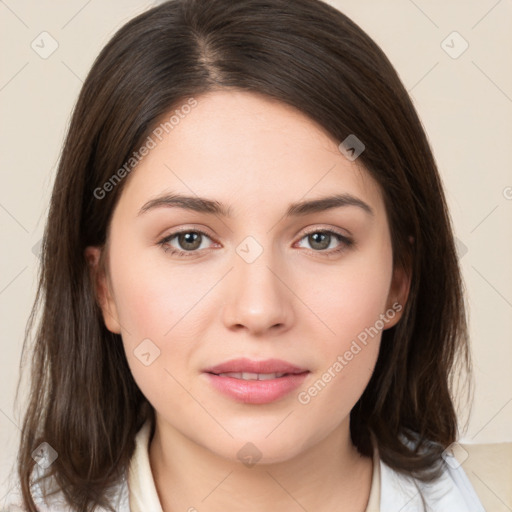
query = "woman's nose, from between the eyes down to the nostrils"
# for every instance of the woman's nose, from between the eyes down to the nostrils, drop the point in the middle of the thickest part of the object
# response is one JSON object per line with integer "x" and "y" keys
{"x": 258, "y": 297}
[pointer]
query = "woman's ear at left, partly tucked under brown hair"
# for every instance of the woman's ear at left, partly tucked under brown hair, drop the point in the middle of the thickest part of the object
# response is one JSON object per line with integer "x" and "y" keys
{"x": 102, "y": 289}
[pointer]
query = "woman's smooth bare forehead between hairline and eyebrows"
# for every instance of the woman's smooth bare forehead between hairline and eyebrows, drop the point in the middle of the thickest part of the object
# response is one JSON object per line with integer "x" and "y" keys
{"x": 249, "y": 151}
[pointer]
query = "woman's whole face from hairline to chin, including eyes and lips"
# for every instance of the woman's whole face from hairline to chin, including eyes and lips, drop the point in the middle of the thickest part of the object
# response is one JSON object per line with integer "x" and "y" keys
{"x": 192, "y": 288}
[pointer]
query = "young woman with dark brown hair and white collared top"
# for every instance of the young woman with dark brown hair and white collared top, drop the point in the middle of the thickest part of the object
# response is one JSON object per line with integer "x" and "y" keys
{"x": 250, "y": 292}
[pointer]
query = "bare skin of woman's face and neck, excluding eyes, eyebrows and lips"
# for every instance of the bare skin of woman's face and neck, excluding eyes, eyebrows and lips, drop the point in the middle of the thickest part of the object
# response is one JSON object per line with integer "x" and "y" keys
{"x": 256, "y": 156}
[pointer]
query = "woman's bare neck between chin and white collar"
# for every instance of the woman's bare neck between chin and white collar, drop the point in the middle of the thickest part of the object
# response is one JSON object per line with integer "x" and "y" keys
{"x": 330, "y": 475}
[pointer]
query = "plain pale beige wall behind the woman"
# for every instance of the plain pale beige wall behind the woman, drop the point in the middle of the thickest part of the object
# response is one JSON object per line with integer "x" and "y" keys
{"x": 465, "y": 104}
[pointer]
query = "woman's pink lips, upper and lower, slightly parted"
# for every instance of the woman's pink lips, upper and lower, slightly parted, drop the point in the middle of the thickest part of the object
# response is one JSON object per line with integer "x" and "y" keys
{"x": 256, "y": 391}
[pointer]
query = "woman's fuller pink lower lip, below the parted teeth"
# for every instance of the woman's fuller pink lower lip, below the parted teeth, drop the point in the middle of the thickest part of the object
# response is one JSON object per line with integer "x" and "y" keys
{"x": 257, "y": 391}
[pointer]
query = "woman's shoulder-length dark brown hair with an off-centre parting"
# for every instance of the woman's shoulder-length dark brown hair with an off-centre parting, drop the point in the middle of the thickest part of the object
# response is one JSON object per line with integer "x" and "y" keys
{"x": 305, "y": 54}
